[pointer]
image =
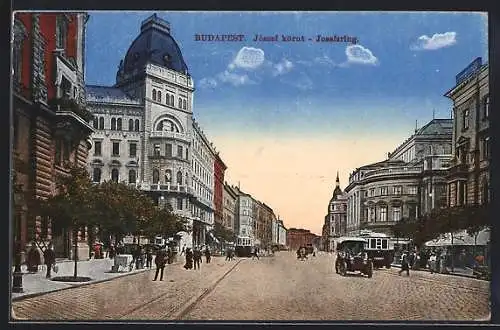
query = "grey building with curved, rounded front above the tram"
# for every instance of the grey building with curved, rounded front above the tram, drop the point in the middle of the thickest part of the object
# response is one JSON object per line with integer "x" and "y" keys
{"x": 409, "y": 183}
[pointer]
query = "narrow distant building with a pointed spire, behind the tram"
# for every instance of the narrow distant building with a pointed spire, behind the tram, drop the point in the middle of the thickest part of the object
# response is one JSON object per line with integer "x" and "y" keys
{"x": 335, "y": 220}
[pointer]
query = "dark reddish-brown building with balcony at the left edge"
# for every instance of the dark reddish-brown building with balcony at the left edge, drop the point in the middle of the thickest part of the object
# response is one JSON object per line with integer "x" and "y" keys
{"x": 50, "y": 123}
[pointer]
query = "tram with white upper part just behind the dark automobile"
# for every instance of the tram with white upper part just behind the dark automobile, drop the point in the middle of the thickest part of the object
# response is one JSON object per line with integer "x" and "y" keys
{"x": 379, "y": 247}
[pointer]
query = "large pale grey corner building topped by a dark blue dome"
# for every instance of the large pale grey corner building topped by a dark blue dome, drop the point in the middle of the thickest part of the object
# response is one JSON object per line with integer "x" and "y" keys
{"x": 145, "y": 132}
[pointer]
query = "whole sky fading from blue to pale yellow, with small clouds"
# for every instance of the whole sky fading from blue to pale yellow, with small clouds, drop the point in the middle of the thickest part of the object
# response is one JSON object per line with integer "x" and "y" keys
{"x": 287, "y": 115}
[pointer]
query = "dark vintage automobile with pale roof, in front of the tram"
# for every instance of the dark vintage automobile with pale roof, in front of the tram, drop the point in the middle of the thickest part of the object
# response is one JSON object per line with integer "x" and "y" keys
{"x": 352, "y": 257}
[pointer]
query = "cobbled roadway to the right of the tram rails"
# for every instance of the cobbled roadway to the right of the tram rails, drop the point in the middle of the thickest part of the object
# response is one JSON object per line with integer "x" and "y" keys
{"x": 284, "y": 288}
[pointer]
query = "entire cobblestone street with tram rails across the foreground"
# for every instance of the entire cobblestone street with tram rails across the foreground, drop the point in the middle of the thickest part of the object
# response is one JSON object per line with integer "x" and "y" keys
{"x": 272, "y": 288}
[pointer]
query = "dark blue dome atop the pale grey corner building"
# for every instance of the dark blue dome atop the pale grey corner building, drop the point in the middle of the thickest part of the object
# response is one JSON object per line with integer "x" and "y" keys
{"x": 154, "y": 45}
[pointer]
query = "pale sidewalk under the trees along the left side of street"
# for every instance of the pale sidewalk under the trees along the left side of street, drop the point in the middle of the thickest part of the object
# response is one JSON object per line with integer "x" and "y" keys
{"x": 97, "y": 269}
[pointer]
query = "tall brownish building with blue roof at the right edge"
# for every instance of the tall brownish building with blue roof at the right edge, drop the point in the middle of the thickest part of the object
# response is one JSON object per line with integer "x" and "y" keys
{"x": 469, "y": 175}
